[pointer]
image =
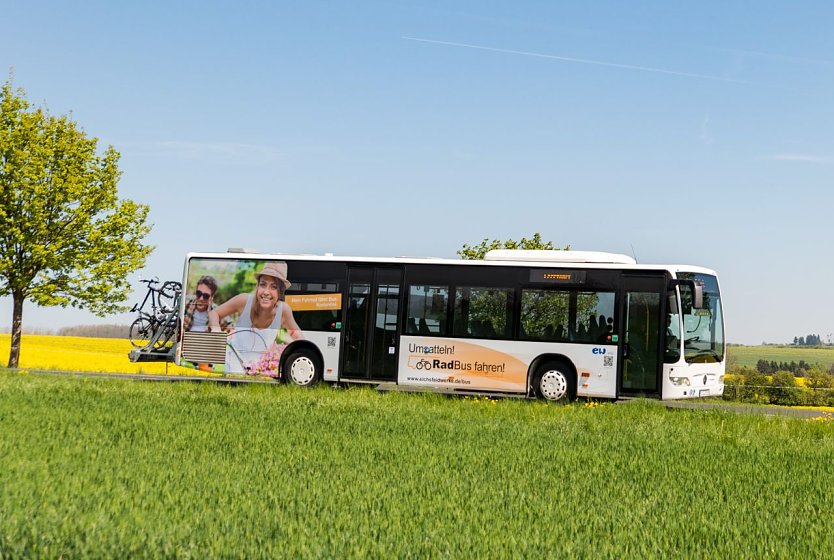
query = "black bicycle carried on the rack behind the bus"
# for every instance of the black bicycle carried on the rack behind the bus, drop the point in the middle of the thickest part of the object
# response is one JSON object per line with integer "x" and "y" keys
{"x": 164, "y": 302}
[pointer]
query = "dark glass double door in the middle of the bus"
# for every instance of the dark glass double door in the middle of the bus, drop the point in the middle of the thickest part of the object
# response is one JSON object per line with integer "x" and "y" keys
{"x": 372, "y": 323}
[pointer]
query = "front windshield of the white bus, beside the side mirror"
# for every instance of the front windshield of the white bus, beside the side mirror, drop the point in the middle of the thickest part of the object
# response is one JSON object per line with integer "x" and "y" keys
{"x": 703, "y": 329}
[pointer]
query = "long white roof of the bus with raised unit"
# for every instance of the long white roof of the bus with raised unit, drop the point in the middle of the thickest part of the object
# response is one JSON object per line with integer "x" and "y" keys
{"x": 509, "y": 258}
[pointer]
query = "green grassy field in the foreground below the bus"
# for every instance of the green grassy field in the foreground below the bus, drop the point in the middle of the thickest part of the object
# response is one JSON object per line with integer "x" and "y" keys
{"x": 93, "y": 467}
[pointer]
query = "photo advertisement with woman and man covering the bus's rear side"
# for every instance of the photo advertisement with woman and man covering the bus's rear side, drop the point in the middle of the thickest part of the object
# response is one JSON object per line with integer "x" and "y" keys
{"x": 239, "y": 318}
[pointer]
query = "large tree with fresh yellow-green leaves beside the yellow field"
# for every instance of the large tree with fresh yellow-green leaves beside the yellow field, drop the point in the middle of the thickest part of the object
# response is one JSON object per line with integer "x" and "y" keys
{"x": 65, "y": 237}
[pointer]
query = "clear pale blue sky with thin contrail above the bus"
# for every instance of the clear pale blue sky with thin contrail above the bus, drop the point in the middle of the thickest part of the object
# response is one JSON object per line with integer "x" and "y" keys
{"x": 696, "y": 133}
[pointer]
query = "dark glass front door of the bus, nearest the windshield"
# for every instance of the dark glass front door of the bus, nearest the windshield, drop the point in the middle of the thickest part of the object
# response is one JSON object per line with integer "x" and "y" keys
{"x": 641, "y": 333}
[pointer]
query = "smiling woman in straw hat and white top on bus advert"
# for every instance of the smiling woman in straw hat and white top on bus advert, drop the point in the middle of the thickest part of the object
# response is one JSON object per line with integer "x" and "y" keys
{"x": 262, "y": 314}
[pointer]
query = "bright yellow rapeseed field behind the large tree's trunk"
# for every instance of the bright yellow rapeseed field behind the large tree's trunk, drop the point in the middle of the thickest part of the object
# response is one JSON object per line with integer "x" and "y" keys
{"x": 76, "y": 353}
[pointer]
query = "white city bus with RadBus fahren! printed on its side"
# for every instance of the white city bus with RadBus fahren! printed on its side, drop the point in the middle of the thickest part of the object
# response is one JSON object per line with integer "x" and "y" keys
{"x": 551, "y": 324}
